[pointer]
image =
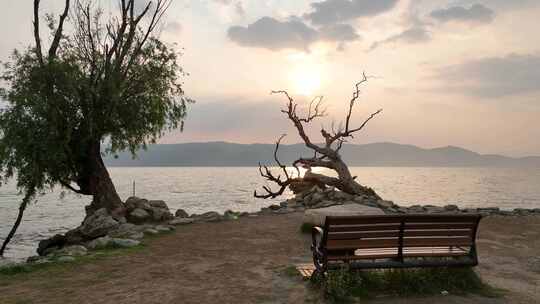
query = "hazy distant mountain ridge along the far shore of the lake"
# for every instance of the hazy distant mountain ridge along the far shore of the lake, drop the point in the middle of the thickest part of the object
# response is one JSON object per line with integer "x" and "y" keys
{"x": 375, "y": 154}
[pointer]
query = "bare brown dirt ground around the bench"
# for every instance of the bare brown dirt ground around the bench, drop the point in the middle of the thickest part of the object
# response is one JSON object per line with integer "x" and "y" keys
{"x": 244, "y": 261}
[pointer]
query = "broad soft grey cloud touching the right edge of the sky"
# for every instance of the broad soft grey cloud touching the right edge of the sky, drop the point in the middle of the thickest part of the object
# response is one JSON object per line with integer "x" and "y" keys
{"x": 494, "y": 76}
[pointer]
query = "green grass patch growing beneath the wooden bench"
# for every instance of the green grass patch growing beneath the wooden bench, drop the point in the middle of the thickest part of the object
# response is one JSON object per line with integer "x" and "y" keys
{"x": 342, "y": 285}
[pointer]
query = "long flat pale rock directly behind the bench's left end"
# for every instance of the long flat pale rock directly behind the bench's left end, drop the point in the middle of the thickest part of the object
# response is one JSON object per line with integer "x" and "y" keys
{"x": 318, "y": 216}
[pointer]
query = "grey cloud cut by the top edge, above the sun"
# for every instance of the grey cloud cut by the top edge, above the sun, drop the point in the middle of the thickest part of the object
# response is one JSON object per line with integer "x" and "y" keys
{"x": 338, "y": 11}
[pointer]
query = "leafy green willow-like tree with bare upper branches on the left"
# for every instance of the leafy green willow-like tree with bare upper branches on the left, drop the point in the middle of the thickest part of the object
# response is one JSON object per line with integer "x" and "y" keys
{"x": 107, "y": 81}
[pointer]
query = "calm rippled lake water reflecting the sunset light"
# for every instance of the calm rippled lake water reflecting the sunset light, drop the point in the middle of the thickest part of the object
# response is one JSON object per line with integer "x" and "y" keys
{"x": 204, "y": 189}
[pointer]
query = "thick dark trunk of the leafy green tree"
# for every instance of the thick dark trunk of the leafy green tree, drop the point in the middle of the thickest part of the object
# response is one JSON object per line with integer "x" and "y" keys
{"x": 97, "y": 182}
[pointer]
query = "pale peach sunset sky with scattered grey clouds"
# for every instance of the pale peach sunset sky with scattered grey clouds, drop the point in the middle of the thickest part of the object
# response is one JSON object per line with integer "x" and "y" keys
{"x": 461, "y": 73}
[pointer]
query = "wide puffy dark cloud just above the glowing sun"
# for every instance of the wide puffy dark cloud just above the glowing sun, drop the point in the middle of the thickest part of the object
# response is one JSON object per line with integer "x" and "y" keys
{"x": 273, "y": 34}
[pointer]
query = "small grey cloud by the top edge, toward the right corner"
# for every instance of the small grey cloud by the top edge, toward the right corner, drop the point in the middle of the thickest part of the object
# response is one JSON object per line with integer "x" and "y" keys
{"x": 474, "y": 14}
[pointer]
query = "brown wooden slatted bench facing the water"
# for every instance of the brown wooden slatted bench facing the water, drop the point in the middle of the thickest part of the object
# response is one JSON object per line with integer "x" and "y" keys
{"x": 395, "y": 241}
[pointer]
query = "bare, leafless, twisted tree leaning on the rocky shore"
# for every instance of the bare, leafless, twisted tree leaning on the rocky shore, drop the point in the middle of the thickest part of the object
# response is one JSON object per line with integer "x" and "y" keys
{"x": 326, "y": 155}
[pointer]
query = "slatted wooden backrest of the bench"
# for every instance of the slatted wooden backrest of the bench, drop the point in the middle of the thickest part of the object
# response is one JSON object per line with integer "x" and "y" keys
{"x": 398, "y": 231}
